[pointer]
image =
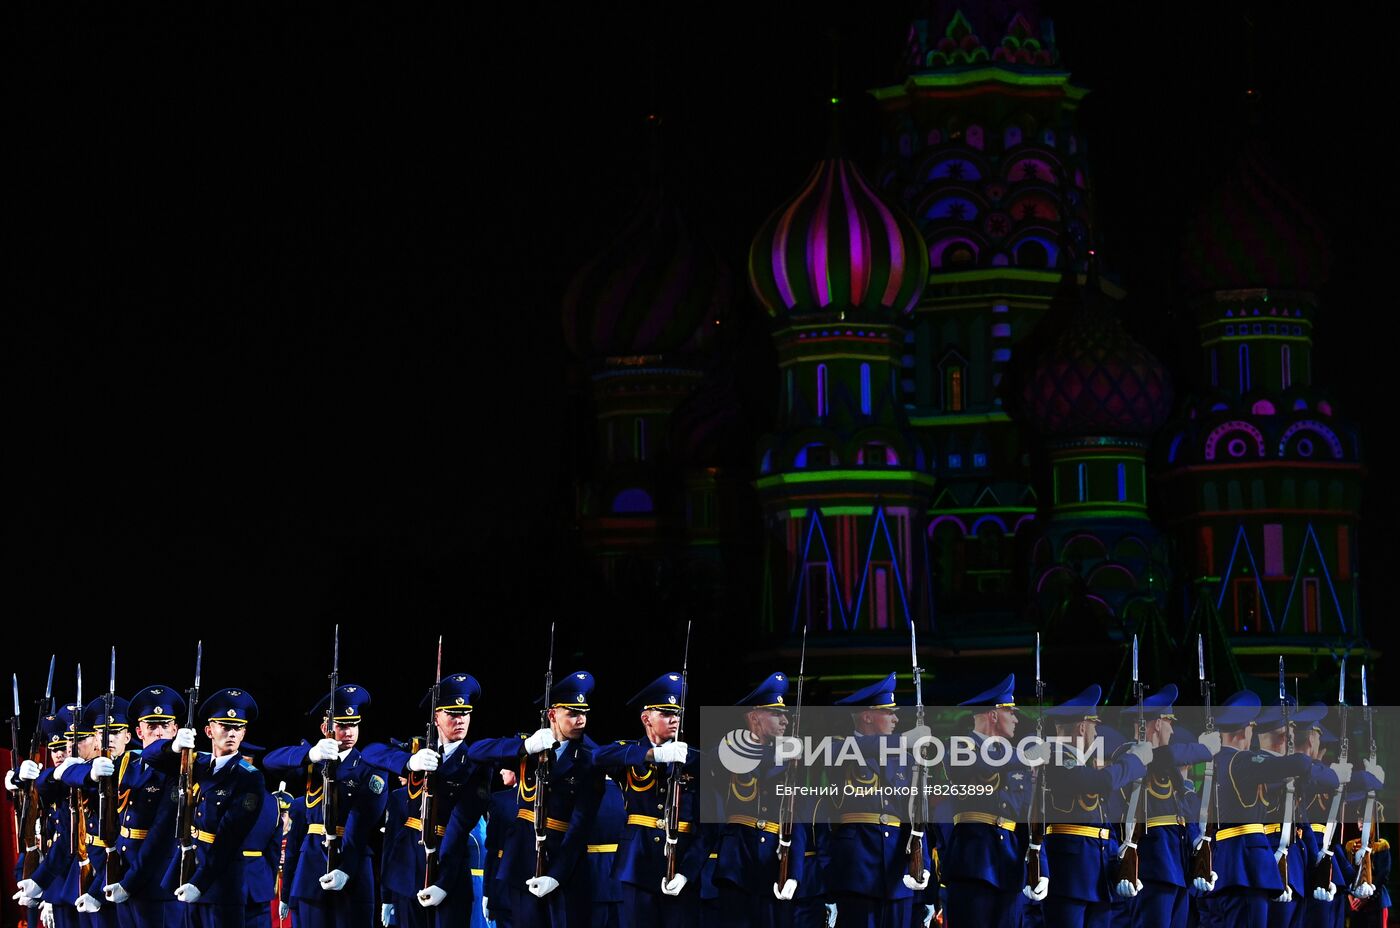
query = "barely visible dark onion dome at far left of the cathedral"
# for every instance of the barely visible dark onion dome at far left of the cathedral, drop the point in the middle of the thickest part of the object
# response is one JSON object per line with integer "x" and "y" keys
{"x": 654, "y": 290}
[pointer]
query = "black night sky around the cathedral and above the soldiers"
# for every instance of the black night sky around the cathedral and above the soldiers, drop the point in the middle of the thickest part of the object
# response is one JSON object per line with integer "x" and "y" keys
{"x": 283, "y": 321}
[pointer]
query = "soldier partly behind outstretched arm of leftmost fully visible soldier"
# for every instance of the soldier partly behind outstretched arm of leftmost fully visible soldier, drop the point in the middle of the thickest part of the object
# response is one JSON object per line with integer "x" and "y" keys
{"x": 148, "y": 822}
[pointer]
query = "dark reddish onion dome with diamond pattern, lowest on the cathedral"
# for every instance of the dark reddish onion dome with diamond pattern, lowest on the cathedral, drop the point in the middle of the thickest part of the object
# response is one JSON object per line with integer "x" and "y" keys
{"x": 1097, "y": 380}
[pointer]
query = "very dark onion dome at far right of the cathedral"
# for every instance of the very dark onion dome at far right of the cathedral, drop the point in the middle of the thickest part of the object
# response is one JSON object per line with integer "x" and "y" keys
{"x": 1255, "y": 233}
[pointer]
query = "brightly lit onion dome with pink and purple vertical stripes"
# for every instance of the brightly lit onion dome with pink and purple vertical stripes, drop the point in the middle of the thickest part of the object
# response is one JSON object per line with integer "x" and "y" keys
{"x": 838, "y": 247}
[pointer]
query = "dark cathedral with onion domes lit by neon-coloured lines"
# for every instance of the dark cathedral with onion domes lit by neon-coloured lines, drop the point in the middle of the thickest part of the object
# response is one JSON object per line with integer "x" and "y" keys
{"x": 965, "y": 437}
